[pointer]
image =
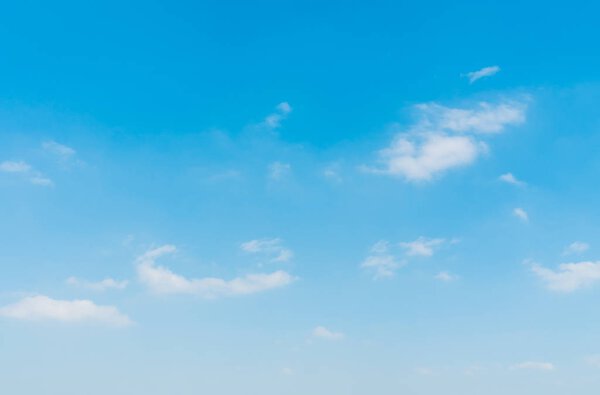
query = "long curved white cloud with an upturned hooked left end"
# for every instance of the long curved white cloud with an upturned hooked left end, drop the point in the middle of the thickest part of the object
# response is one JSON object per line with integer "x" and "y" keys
{"x": 162, "y": 280}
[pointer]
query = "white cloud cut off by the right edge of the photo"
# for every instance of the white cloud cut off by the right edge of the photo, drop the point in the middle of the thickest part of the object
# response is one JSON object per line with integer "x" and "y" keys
{"x": 570, "y": 276}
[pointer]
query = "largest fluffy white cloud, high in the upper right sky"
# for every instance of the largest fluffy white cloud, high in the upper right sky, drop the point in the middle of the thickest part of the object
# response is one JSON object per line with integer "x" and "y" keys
{"x": 445, "y": 138}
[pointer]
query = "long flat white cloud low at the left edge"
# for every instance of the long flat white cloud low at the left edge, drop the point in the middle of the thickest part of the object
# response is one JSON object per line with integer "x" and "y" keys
{"x": 43, "y": 308}
